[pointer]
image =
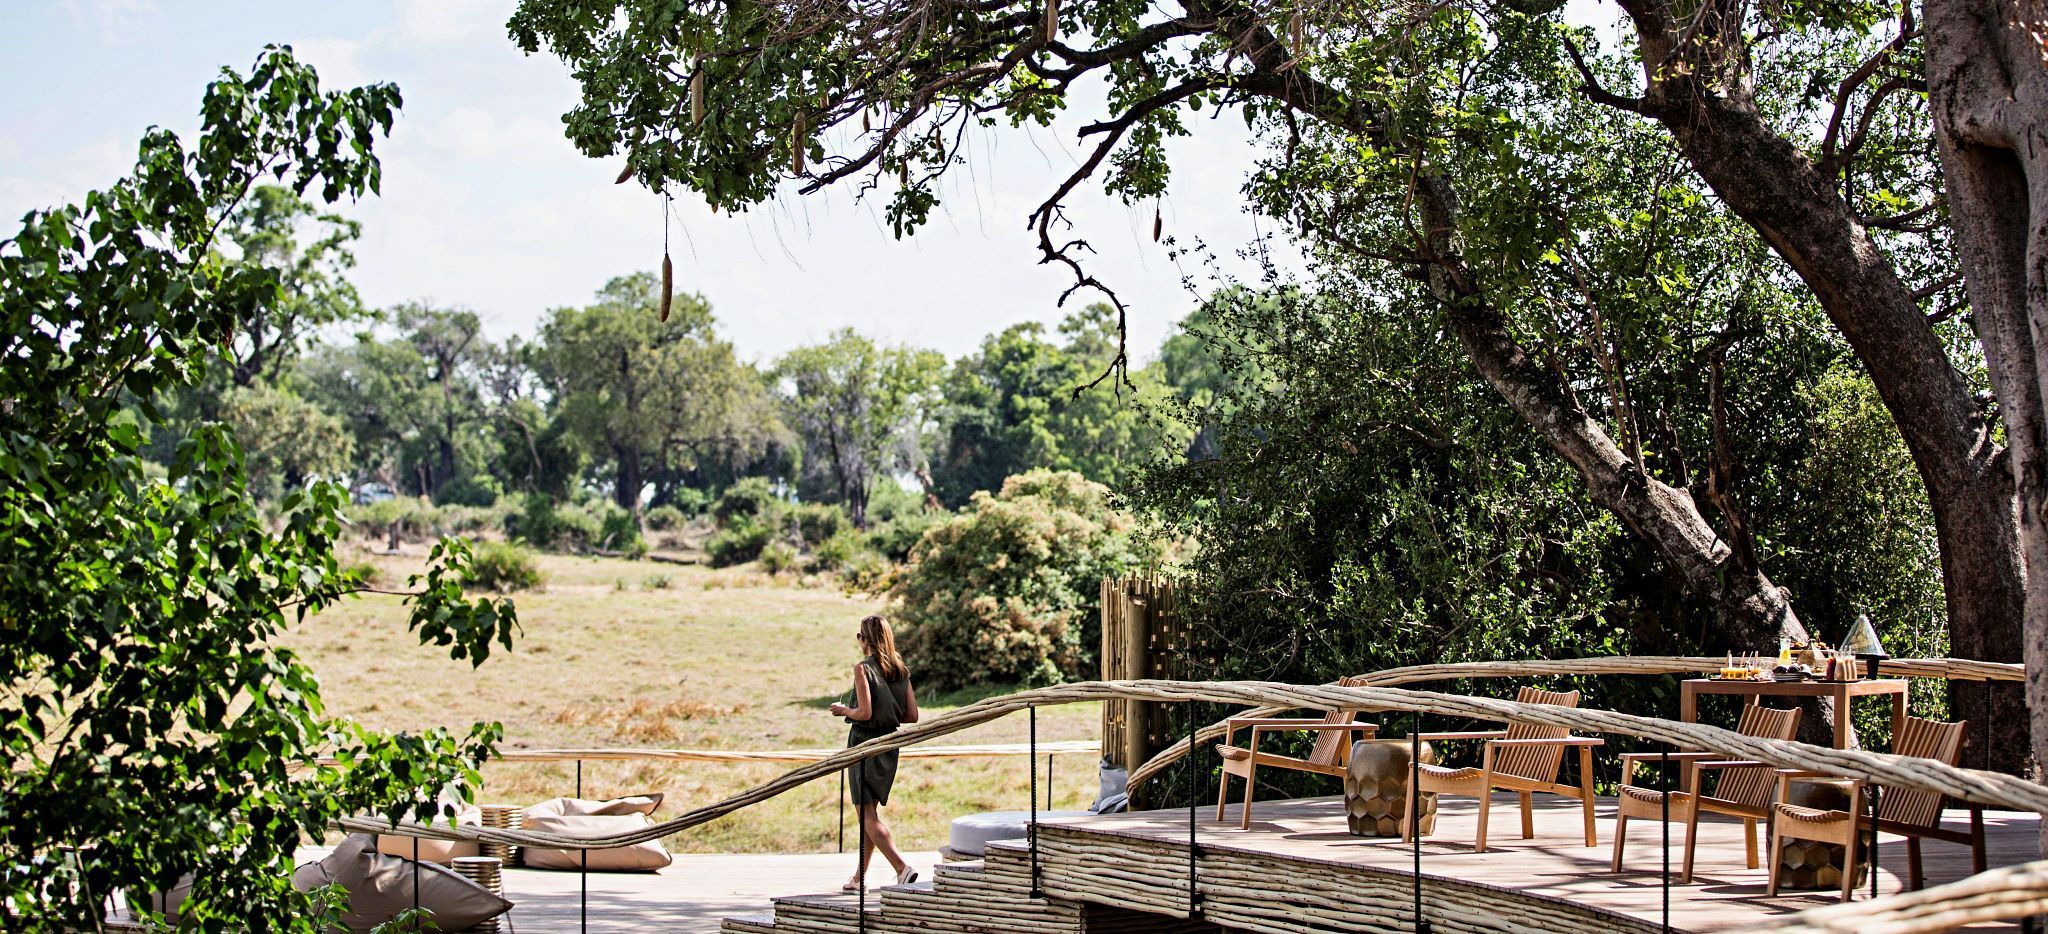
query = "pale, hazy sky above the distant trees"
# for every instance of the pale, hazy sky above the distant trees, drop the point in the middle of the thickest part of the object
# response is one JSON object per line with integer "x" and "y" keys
{"x": 486, "y": 206}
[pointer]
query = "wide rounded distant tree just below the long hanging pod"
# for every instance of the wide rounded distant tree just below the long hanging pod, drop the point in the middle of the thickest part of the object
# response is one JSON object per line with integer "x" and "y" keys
{"x": 650, "y": 396}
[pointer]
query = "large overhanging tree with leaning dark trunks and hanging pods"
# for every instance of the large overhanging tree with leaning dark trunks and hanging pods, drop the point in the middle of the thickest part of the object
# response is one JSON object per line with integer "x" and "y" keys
{"x": 1439, "y": 144}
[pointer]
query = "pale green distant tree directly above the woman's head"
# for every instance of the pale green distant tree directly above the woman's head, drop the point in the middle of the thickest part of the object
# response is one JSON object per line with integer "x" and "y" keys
{"x": 861, "y": 411}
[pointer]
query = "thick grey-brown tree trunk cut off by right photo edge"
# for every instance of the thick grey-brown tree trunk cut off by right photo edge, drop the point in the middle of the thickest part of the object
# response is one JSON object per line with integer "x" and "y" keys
{"x": 1990, "y": 99}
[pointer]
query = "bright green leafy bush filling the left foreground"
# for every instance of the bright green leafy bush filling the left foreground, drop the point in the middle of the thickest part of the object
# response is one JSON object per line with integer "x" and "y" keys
{"x": 146, "y": 708}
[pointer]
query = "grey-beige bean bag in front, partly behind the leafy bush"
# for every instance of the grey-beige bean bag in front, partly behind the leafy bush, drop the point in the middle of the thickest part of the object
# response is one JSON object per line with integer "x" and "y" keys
{"x": 380, "y": 888}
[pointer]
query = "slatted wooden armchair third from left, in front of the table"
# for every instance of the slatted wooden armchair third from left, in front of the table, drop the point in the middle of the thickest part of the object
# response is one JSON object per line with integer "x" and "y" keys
{"x": 1744, "y": 790}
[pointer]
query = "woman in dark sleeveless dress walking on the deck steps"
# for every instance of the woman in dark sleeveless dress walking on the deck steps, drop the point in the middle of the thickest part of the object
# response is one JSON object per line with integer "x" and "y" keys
{"x": 884, "y": 702}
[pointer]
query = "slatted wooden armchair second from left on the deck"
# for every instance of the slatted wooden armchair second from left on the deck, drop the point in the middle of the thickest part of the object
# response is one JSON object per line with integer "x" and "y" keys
{"x": 1523, "y": 759}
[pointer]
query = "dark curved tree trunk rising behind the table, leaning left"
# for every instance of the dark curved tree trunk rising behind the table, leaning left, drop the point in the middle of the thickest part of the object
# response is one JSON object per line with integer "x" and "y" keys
{"x": 1797, "y": 208}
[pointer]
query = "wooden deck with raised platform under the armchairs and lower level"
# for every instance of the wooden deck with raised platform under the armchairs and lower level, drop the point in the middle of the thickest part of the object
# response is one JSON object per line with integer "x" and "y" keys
{"x": 1295, "y": 872}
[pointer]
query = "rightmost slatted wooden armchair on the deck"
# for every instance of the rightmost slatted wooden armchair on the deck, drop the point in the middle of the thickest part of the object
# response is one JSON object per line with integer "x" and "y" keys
{"x": 1906, "y": 812}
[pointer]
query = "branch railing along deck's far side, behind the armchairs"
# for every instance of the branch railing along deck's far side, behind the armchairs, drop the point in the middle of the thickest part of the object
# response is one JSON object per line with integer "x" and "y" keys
{"x": 1947, "y": 669}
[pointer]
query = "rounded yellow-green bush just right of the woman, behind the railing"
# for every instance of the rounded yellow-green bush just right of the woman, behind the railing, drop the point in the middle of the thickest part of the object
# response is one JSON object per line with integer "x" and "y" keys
{"x": 1009, "y": 591}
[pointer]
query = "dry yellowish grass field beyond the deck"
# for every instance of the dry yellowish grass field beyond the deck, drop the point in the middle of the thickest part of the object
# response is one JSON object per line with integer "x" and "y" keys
{"x": 663, "y": 656}
